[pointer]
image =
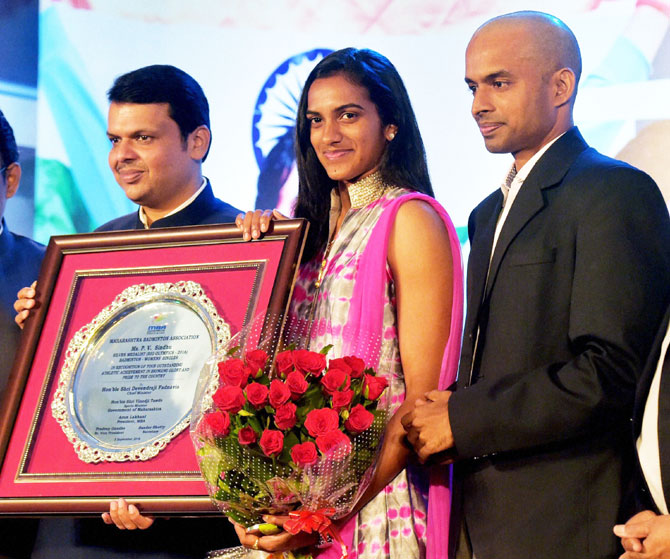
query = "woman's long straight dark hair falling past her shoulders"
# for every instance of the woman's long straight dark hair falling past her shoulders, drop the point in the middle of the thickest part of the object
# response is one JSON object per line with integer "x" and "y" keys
{"x": 404, "y": 160}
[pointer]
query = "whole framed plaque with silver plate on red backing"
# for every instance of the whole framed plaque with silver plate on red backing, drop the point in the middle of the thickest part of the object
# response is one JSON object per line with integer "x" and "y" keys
{"x": 99, "y": 399}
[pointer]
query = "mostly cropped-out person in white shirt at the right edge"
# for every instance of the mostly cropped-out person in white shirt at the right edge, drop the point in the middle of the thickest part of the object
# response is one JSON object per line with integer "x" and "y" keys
{"x": 647, "y": 534}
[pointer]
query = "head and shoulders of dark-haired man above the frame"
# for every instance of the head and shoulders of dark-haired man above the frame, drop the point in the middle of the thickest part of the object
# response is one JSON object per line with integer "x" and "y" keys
{"x": 158, "y": 126}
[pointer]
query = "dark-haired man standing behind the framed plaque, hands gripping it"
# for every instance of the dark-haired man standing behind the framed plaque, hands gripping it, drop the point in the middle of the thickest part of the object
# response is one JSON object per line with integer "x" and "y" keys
{"x": 158, "y": 127}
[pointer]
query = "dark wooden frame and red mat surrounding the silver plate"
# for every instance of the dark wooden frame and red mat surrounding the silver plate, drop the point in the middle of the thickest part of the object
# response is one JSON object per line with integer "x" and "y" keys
{"x": 41, "y": 473}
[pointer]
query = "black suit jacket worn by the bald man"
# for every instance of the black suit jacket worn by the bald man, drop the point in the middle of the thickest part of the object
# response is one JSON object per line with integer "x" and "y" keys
{"x": 577, "y": 286}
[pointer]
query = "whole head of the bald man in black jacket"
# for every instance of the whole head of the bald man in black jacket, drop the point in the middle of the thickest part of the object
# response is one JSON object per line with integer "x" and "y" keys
{"x": 522, "y": 69}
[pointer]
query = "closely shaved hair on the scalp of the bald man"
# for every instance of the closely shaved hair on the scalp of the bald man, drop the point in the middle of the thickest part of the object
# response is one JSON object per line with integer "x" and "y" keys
{"x": 548, "y": 40}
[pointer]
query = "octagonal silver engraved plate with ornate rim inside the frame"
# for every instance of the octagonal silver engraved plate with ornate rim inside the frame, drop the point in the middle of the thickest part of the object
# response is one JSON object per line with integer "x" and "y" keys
{"x": 127, "y": 384}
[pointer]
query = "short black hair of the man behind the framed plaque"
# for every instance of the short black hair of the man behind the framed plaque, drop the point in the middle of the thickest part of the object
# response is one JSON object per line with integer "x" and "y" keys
{"x": 162, "y": 83}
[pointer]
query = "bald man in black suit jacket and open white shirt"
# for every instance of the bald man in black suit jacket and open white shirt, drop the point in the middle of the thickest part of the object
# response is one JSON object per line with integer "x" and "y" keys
{"x": 568, "y": 274}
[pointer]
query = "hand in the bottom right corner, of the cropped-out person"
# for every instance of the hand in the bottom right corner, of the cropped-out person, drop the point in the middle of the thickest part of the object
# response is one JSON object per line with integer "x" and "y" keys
{"x": 645, "y": 536}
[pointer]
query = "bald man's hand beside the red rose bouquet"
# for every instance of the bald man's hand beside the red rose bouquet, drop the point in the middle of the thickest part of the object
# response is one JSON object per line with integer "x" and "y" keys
{"x": 427, "y": 426}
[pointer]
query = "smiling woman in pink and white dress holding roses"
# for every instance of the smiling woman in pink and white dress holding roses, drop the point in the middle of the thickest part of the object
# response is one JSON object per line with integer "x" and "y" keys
{"x": 381, "y": 258}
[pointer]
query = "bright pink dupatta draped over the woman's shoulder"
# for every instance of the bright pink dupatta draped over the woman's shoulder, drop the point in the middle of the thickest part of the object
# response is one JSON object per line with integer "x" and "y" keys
{"x": 366, "y": 315}
